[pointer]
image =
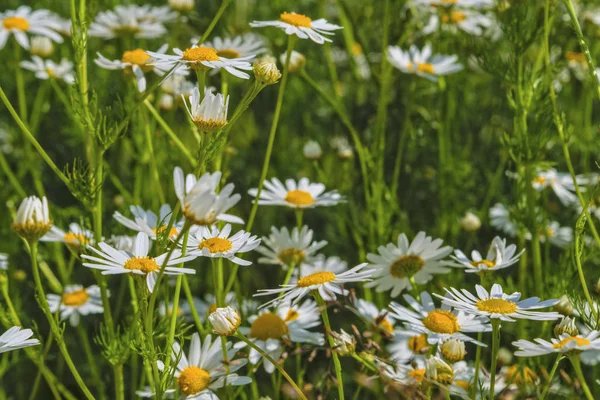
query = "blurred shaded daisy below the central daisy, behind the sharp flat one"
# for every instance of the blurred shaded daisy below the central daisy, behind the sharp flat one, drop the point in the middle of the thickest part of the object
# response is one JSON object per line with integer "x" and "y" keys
{"x": 289, "y": 248}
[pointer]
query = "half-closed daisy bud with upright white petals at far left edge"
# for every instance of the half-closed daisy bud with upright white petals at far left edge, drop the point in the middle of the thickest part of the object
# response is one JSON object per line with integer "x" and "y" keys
{"x": 32, "y": 220}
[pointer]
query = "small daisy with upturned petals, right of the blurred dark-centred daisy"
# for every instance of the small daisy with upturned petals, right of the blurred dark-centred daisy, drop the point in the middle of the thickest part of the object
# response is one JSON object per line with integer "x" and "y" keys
{"x": 499, "y": 256}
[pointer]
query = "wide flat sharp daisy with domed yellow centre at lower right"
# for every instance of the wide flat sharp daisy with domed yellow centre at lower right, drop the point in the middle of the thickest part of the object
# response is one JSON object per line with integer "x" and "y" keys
{"x": 499, "y": 305}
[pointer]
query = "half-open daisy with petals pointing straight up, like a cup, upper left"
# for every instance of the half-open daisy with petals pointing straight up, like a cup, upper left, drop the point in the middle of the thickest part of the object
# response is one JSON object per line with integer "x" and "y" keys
{"x": 210, "y": 114}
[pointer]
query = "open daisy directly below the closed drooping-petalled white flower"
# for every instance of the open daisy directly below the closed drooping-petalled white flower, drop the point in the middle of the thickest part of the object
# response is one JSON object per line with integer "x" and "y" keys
{"x": 216, "y": 243}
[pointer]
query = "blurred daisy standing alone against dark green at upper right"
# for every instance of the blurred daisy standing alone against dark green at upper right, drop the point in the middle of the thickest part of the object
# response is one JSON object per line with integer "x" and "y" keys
{"x": 422, "y": 63}
